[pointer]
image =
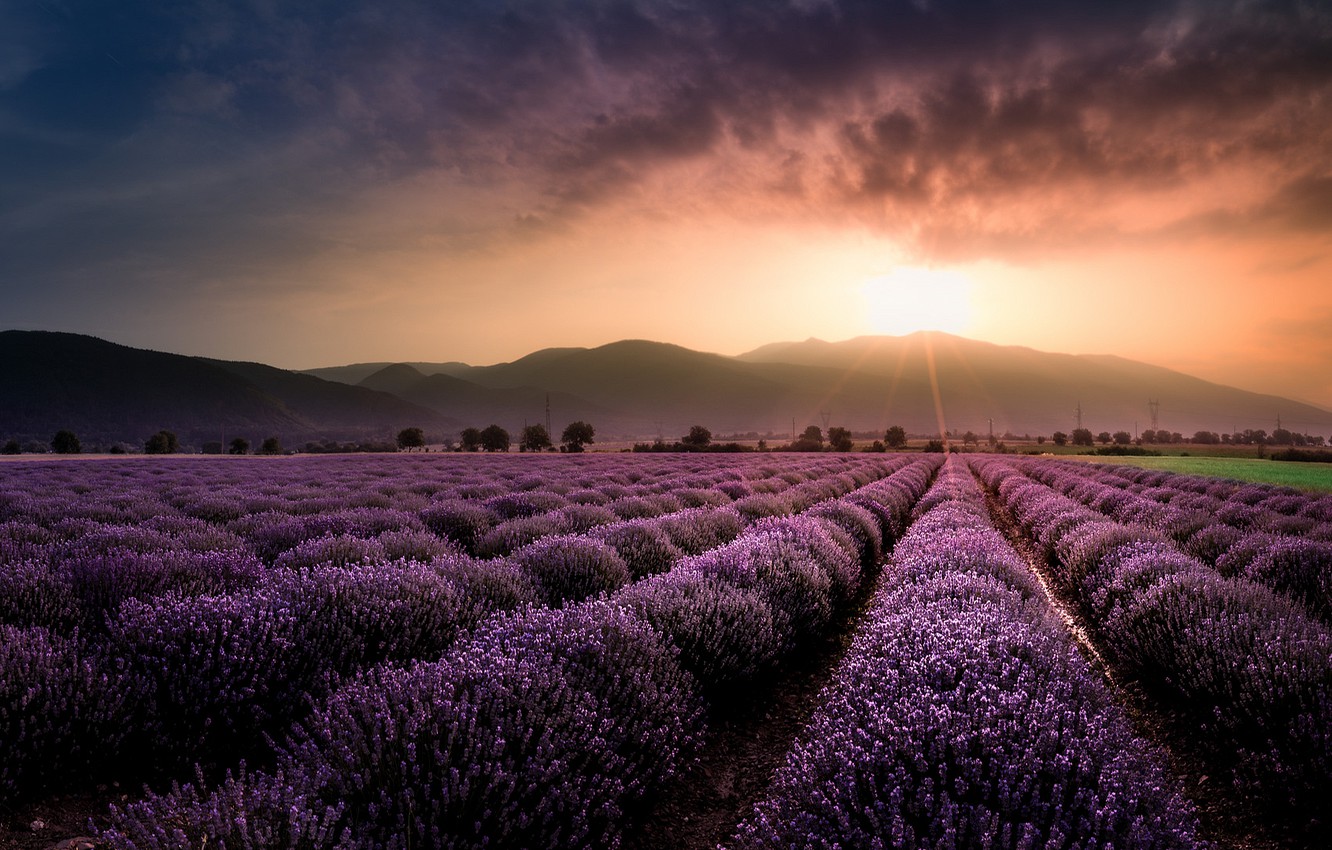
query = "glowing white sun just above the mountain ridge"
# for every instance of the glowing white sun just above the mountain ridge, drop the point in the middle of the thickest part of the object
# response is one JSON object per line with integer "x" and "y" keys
{"x": 912, "y": 299}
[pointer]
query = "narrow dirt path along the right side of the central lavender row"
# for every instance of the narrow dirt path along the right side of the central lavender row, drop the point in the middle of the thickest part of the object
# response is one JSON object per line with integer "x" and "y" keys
{"x": 1225, "y": 819}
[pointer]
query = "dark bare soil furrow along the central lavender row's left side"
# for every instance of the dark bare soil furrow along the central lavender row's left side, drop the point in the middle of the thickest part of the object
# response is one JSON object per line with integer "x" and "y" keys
{"x": 748, "y": 743}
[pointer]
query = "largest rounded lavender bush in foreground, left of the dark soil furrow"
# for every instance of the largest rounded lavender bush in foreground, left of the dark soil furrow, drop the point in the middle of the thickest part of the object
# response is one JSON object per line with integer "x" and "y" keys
{"x": 545, "y": 731}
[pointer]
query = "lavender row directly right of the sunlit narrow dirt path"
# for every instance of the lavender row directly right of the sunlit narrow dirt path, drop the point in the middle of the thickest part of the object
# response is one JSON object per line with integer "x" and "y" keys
{"x": 1250, "y": 668}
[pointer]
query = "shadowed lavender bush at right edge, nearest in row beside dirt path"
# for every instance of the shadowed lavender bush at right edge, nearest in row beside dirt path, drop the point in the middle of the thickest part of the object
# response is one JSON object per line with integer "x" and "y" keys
{"x": 1251, "y": 669}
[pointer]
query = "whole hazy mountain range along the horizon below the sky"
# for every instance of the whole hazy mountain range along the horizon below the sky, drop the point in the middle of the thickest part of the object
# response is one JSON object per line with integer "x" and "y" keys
{"x": 629, "y": 390}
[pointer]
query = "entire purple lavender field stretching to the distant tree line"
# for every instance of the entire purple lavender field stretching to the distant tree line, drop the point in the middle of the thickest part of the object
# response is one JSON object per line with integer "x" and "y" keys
{"x": 528, "y": 652}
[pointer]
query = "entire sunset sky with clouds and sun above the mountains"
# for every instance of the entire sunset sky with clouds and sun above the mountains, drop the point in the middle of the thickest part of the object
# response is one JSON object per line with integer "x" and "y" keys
{"x": 312, "y": 185}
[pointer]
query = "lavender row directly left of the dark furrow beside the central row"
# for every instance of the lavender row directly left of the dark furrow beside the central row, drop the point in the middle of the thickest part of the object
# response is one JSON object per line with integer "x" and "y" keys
{"x": 545, "y": 728}
